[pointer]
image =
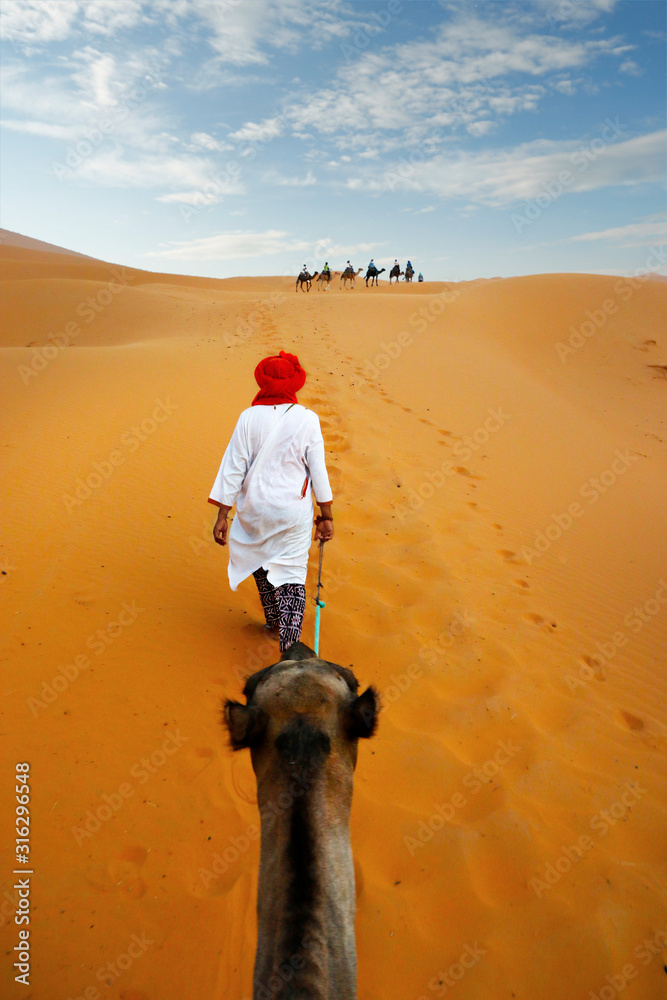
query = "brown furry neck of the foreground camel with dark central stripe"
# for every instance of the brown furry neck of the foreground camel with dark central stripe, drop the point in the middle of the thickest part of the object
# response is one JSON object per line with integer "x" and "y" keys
{"x": 306, "y": 895}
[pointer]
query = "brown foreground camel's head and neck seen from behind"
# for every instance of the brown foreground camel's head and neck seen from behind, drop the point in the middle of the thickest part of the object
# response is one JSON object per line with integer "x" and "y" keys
{"x": 302, "y": 721}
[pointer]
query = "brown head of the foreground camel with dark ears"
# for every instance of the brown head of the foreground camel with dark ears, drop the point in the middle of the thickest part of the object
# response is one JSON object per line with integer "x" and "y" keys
{"x": 302, "y": 720}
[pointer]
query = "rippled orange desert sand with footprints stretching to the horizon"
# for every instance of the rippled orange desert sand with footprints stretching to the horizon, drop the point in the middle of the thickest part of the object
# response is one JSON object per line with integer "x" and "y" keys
{"x": 523, "y": 693}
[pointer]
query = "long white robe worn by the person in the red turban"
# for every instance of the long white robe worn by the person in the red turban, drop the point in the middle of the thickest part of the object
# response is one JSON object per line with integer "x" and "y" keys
{"x": 274, "y": 505}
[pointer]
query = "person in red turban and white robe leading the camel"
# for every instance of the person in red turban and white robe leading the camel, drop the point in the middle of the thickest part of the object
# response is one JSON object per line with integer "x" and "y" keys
{"x": 272, "y": 465}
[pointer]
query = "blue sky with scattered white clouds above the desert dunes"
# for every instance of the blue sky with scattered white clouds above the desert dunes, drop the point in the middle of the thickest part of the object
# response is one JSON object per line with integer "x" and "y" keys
{"x": 226, "y": 137}
